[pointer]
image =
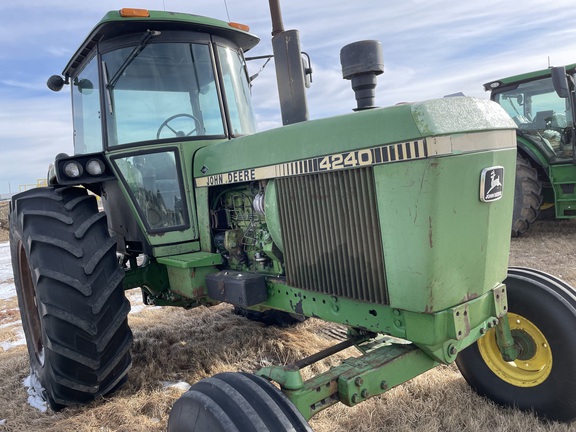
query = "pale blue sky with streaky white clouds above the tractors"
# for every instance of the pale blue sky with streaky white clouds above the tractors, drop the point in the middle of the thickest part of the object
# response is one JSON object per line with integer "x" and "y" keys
{"x": 431, "y": 48}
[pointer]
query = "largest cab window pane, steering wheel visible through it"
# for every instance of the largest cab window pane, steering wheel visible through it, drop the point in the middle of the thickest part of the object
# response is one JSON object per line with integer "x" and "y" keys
{"x": 167, "y": 91}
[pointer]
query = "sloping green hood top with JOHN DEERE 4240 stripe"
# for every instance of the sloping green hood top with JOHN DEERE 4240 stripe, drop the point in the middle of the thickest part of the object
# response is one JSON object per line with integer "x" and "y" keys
{"x": 402, "y": 132}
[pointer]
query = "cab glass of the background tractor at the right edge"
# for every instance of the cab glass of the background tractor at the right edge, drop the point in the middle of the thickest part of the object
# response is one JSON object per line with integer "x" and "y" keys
{"x": 541, "y": 115}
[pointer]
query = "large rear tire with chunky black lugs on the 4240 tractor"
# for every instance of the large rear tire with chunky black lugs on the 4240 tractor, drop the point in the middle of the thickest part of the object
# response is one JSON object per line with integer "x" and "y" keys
{"x": 70, "y": 295}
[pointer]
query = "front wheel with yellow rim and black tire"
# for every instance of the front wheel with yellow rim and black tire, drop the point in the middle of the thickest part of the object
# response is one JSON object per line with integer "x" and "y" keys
{"x": 542, "y": 316}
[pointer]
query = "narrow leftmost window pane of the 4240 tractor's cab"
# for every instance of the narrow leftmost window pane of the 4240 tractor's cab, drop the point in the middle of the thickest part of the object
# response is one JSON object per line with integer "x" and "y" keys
{"x": 86, "y": 110}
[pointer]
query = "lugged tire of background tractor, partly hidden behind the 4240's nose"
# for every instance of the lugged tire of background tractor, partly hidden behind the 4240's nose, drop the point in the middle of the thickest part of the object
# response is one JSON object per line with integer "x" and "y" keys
{"x": 527, "y": 196}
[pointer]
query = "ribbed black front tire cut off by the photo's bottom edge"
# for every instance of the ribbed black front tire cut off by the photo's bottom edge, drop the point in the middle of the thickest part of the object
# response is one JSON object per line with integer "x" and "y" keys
{"x": 235, "y": 402}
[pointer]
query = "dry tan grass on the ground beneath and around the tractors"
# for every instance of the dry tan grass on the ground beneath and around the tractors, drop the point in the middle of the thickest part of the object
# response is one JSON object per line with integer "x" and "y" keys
{"x": 177, "y": 345}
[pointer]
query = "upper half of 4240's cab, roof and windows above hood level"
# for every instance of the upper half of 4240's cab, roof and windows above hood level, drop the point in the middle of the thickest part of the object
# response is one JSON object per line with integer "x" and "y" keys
{"x": 140, "y": 78}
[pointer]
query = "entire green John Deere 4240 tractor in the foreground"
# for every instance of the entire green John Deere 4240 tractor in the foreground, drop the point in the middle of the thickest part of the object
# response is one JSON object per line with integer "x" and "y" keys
{"x": 391, "y": 221}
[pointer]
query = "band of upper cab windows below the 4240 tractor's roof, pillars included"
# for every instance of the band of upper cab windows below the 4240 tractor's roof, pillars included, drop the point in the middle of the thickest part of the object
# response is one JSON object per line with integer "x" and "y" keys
{"x": 161, "y": 89}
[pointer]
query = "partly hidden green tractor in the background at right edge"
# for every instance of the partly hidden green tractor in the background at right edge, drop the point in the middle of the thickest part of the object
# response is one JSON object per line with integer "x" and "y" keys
{"x": 542, "y": 105}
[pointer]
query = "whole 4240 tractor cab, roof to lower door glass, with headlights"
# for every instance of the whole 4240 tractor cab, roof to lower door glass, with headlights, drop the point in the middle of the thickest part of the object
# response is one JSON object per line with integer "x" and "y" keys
{"x": 149, "y": 88}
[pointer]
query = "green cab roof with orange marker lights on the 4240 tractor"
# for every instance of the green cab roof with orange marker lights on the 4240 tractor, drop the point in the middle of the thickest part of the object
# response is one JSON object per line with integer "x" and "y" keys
{"x": 118, "y": 22}
